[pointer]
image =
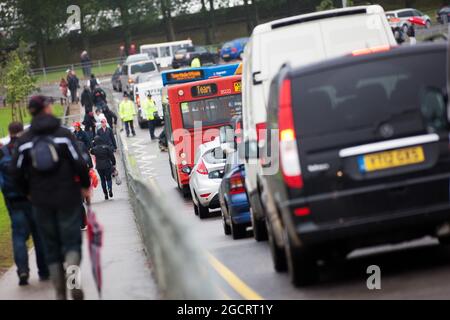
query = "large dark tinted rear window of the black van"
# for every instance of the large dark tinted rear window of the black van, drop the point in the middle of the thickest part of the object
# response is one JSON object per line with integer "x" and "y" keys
{"x": 407, "y": 90}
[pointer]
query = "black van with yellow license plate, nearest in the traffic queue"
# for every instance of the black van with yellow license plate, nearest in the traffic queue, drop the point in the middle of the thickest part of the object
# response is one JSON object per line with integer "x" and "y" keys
{"x": 364, "y": 155}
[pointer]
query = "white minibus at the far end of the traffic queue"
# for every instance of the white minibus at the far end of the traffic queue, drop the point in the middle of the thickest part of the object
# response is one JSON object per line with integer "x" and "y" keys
{"x": 163, "y": 52}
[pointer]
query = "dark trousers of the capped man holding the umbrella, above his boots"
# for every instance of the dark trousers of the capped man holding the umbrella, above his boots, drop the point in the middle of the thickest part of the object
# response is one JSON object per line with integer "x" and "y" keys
{"x": 60, "y": 231}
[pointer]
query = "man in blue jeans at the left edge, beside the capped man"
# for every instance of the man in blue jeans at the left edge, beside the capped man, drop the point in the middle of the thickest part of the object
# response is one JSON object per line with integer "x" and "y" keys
{"x": 23, "y": 223}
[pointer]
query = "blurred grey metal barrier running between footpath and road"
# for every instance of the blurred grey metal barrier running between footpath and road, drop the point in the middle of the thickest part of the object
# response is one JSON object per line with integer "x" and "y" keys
{"x": 181, "y": 269}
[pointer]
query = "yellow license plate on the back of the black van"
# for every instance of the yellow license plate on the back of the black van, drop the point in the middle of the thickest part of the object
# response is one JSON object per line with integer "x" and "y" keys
{"x": 391, "y": 159}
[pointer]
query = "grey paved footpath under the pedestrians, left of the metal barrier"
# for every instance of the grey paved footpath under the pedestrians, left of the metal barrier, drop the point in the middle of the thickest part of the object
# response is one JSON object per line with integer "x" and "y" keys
{"x": 126, "y": 271}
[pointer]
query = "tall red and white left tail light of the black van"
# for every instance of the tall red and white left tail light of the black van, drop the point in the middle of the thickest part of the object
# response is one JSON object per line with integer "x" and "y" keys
{"x": 289, "y": 160}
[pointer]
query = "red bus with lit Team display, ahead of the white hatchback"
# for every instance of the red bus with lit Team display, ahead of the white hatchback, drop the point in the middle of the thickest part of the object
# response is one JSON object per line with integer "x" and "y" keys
{"x": 195, "y": 112}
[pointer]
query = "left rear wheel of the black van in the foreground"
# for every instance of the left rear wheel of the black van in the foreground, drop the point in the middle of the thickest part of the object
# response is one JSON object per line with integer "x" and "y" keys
{"x": 302, "y": 264}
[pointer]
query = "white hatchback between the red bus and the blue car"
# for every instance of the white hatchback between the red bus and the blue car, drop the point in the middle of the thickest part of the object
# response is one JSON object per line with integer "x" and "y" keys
{"x": 206, "y": 176}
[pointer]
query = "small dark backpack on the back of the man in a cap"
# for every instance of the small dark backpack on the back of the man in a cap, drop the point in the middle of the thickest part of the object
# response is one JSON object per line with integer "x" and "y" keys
{"x": 44, "y": 154}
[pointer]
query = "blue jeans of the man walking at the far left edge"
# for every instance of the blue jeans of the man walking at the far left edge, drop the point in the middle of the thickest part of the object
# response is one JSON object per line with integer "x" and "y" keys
{"x": 23, "y": 224}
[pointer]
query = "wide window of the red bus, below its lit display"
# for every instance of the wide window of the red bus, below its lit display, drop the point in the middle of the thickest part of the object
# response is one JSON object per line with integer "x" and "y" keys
{"x": 210, "y": 112}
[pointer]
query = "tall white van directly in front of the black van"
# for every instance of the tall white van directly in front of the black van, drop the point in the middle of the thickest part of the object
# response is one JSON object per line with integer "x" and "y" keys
{"x": 298, "y": 41}
